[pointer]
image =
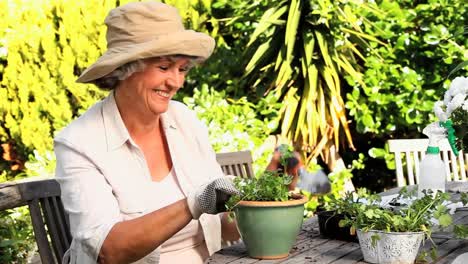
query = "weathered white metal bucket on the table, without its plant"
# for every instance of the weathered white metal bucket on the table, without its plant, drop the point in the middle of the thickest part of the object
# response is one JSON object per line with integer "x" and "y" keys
{"x": 390, "y": 247}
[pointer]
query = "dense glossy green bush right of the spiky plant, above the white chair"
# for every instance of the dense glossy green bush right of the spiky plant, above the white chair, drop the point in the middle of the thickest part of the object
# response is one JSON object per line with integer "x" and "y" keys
{"x": 423, "y": 41}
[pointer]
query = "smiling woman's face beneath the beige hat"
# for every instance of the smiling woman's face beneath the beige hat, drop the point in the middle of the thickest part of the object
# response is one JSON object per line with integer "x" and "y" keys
{"x": 151, "y": 89}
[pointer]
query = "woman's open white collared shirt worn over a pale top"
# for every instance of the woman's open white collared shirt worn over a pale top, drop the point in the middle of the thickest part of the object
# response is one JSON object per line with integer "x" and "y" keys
{"x": 104, "y": 177}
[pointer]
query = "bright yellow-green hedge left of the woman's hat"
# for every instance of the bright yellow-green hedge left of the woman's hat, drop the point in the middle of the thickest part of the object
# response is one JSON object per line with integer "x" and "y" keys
{"x": 46, "y": 45}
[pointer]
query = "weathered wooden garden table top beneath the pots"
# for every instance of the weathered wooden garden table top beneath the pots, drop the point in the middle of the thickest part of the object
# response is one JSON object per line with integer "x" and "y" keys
{"x": 310, "y": 247}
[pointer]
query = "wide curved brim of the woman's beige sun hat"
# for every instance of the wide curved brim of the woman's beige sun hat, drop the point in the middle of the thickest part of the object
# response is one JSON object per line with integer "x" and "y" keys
{"x": 187, "y": 42}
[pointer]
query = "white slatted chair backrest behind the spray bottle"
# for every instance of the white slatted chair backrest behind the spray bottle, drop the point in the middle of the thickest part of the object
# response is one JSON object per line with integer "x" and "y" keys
{"x": 413, "y": 151}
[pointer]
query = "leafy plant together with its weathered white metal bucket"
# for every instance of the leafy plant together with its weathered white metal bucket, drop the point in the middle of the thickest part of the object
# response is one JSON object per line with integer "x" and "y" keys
{"x": 393, "y": 234}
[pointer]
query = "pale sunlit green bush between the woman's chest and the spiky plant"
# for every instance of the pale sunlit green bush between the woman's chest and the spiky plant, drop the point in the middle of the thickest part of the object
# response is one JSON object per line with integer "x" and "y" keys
{"x": 235, "y": 125}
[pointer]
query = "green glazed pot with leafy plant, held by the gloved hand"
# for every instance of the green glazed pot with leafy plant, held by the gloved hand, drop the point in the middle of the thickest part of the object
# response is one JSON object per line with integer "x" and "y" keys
{"x": 268, "y": 216}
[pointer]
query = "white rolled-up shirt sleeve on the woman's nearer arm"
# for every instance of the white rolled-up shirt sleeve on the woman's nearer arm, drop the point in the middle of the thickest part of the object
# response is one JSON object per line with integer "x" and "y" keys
{"x": 88, "y": 199}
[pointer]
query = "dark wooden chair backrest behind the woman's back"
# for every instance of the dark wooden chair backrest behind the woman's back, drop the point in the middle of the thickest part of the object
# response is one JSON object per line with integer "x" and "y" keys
{"x": 48, "y": 217}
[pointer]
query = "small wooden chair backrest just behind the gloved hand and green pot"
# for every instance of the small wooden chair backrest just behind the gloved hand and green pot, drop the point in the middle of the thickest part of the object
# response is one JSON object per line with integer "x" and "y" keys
{"x": 236, "y": 163}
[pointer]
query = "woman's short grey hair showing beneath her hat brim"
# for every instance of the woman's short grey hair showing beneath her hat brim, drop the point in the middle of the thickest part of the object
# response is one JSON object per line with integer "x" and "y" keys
{"x": 111, "y": 80}
